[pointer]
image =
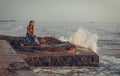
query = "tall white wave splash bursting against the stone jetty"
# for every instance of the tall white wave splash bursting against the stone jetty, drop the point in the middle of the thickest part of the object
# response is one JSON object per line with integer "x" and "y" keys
{"x": 83, "y": 38}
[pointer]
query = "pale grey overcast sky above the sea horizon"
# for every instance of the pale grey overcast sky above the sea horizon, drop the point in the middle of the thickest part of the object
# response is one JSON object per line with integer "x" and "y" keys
{"x": 61, "y": 10}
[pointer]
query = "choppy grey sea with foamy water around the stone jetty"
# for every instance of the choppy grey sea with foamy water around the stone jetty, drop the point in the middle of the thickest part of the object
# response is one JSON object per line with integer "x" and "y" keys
{"x": 107, "y": 41}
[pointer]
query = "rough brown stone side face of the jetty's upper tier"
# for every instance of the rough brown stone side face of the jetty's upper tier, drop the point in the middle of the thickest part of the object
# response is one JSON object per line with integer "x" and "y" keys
{"x": 45, "y": 48}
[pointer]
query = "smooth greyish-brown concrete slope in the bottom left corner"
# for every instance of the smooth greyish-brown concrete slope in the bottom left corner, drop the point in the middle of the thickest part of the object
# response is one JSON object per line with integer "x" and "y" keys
{"x": 11, "y": 64}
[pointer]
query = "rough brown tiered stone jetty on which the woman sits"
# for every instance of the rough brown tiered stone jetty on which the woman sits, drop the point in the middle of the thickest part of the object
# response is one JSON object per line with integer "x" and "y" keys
{"x": 52, "y": 52}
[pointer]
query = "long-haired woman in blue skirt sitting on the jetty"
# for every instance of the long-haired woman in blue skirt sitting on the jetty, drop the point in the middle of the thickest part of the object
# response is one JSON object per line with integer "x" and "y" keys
{"x": 30, "y": 37}
